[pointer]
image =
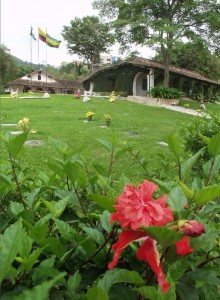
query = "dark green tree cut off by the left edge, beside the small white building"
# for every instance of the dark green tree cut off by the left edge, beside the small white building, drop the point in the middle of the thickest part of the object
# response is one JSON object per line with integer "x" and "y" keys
{"x": 8, "y": 68}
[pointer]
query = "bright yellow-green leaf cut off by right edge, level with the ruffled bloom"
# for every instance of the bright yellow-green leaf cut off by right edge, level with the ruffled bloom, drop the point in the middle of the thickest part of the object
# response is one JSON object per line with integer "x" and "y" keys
{"x": 206, "y": 194}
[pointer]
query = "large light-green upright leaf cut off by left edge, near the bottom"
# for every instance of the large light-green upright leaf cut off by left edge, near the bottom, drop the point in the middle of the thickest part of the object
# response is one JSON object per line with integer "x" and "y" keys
{"x": 9, "y": 243}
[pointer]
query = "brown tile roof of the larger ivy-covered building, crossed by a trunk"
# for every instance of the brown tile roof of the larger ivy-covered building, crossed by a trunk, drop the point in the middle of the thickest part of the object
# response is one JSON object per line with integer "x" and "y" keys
{"x": 139, "y": 61}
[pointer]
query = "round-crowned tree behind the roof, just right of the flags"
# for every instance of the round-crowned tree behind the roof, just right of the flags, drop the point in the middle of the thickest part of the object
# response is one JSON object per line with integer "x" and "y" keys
{"x": 87, "y": 37}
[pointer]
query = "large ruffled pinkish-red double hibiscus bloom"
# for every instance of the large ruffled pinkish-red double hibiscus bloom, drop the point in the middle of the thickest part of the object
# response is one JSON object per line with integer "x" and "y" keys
{"x": 137, "y": 208}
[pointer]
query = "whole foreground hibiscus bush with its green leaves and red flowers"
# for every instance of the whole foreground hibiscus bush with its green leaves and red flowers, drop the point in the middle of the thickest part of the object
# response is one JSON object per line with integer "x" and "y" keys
{"x": 59, "y": 230}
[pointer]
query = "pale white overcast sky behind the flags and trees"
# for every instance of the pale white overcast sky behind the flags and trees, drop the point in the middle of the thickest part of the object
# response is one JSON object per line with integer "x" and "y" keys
{"x": 17, "y": 16}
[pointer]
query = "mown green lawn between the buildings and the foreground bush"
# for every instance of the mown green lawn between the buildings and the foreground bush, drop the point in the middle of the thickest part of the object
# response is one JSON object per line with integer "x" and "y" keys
{"x": 62, "y": 117}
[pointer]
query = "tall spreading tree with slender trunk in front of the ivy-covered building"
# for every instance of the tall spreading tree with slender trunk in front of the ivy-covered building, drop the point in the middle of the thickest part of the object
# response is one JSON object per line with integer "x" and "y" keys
{"x": 161, "y": 23}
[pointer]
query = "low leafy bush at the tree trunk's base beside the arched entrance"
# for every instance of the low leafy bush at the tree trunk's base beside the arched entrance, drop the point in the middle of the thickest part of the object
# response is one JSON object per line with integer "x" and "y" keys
{"x": 161, "y": 91}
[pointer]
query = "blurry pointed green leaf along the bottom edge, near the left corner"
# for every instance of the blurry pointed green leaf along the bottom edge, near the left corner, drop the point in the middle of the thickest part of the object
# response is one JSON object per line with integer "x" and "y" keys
{"x": 40, "y": 292}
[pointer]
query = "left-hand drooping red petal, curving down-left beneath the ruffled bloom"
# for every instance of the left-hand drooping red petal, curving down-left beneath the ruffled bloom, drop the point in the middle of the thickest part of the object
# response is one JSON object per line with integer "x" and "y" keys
{"x": 125, "y": 238}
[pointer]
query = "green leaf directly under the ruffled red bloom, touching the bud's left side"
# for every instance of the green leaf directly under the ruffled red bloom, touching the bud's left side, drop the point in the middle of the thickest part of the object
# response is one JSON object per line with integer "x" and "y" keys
{"x": 164, "y": 236}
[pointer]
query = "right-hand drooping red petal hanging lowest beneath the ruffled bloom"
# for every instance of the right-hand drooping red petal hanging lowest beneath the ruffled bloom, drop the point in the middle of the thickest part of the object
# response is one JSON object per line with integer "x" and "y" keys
{"x": 149, "y": 253}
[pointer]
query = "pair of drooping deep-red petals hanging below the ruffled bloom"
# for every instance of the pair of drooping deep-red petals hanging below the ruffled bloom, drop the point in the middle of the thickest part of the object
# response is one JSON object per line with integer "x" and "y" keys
{"x": 147, "y": 252}
